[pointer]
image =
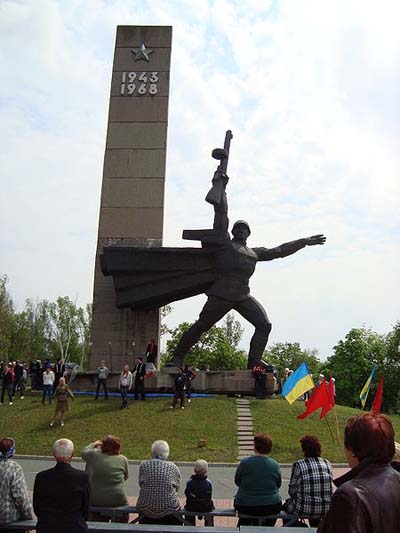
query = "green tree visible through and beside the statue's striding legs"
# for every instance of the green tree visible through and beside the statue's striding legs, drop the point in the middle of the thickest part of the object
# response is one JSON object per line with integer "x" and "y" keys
{"x": 213, "y": 350}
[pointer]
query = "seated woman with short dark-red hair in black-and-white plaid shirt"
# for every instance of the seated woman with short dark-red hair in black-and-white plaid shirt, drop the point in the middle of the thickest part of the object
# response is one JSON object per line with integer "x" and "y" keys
{"x": 310, "y": 486}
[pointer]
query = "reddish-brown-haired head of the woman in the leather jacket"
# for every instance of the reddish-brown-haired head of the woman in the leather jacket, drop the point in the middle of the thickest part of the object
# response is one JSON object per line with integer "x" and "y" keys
{"x": 369, "y": 436}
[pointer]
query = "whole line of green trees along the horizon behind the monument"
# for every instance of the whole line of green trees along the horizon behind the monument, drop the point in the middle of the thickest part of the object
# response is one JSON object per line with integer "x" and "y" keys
{"x": 56, "y": 329}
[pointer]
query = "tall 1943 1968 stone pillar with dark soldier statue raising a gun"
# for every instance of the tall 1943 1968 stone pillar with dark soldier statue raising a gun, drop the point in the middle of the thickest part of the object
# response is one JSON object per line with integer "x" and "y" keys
{"x": 134, "y": 274}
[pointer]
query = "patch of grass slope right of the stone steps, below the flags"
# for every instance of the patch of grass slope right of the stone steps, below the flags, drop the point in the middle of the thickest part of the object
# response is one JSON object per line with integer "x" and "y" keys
{"x": 277, "y": 418}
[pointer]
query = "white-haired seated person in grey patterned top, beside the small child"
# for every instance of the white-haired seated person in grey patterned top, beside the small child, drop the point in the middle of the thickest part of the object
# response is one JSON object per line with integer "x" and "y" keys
{"x": 159, "y": 482}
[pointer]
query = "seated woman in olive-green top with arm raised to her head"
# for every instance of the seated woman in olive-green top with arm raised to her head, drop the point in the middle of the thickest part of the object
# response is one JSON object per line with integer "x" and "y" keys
{"x": 109, "y": 471}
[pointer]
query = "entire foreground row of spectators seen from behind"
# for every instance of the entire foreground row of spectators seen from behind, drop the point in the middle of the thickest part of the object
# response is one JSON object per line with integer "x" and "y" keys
{"x": 367, "y": 499}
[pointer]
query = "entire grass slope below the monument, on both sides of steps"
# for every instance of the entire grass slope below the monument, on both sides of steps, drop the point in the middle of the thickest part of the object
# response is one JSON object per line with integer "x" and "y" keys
{"x": 213, "y": 419}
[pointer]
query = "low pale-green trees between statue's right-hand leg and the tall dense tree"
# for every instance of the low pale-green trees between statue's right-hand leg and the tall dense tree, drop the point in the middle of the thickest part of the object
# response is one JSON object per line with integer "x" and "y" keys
{"x": 290, "y": 355}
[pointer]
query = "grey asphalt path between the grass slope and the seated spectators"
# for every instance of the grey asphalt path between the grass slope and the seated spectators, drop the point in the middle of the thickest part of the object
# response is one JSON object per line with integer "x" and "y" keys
{"x": 221, "y": 475}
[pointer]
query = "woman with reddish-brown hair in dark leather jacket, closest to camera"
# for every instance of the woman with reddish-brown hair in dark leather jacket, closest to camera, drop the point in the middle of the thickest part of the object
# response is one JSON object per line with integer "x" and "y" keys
{"x": 368, "y": 496}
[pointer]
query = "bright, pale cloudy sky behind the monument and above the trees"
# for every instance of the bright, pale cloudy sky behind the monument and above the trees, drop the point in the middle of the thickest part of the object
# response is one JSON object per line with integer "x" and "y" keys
{"x": 310, "y": 89}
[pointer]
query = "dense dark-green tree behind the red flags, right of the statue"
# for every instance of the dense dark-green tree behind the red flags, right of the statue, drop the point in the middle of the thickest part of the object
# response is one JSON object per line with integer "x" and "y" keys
{"x": 352, "y": 362}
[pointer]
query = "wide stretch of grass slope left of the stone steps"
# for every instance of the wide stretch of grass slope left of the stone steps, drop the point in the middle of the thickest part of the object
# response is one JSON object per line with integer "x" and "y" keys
{"x": 138, "y": 426}
